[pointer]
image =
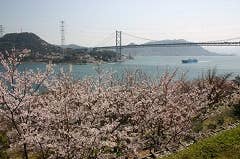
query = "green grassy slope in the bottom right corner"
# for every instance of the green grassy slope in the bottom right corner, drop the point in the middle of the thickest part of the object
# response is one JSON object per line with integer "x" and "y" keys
{"x": 225, "y": 145}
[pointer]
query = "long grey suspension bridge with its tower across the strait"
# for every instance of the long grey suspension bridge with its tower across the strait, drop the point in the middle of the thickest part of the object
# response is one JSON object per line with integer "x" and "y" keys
{"x": 155, "y": 43}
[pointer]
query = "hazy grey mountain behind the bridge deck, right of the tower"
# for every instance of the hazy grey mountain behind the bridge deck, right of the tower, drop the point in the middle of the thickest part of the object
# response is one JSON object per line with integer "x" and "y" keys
{"x": 169, "y": 51}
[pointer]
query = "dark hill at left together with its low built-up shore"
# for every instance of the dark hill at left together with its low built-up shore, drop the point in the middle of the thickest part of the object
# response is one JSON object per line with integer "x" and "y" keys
{"x": 43, "y": 51}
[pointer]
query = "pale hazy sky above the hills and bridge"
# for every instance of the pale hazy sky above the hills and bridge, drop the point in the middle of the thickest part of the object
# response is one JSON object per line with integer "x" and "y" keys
{"x": 89, "y": 22}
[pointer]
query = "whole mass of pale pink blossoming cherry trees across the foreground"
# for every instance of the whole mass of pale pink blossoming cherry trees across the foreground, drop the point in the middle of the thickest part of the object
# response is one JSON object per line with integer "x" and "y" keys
{"x": 103, "y": 117}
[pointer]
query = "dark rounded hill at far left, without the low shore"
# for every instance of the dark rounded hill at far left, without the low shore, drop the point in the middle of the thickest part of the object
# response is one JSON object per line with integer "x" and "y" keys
{"x": 27, "y": 40}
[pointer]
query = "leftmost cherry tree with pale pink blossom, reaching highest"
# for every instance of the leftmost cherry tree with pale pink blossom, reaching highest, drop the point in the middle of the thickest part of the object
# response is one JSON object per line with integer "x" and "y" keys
{"x": 17, "y": 92}
